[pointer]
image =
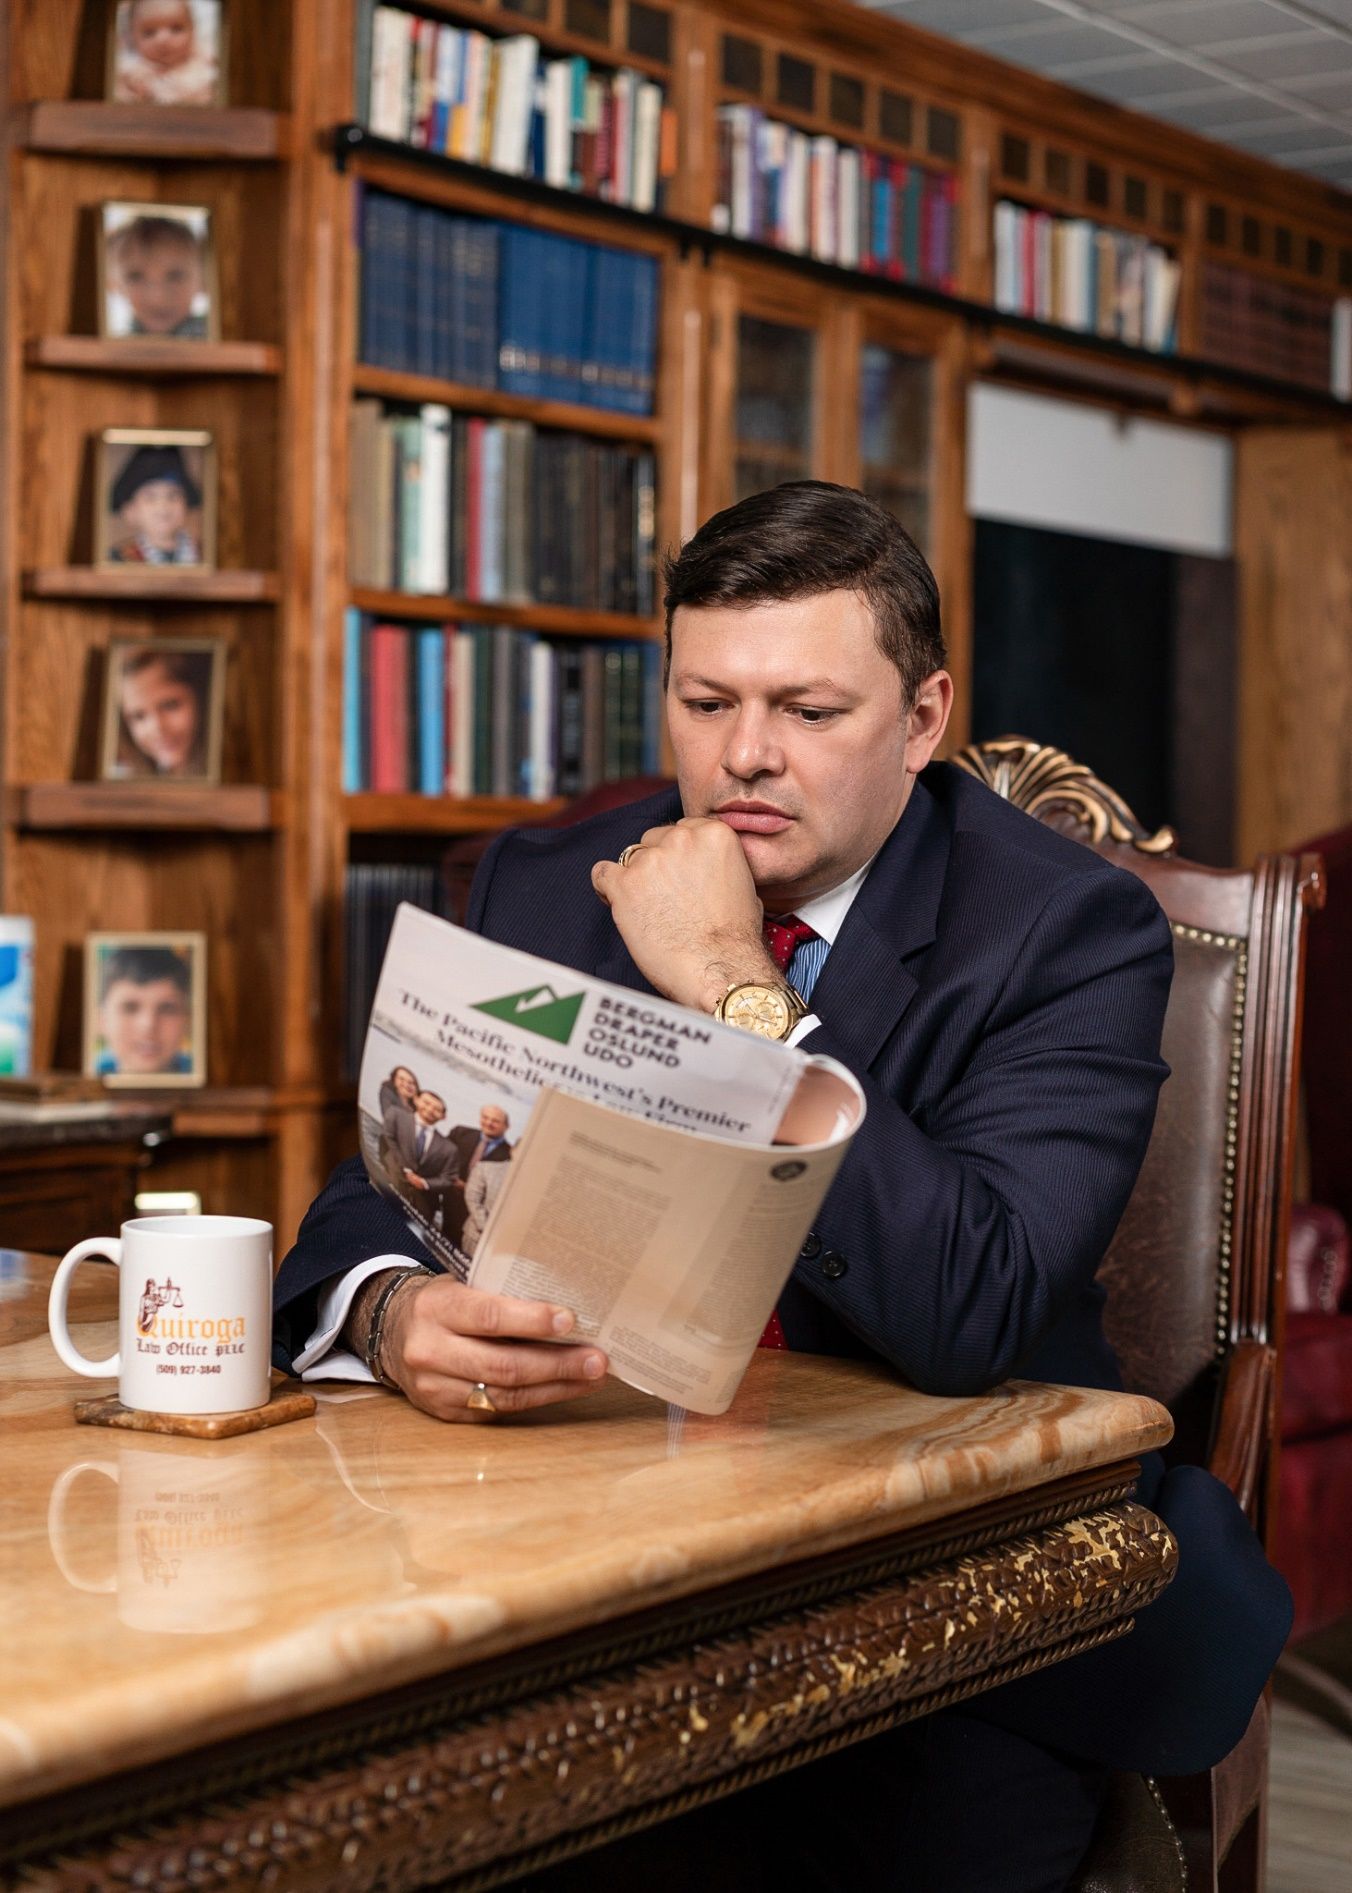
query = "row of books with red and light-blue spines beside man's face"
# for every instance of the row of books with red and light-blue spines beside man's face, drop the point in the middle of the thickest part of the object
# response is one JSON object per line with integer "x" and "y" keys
{"x": 495, "y": 711}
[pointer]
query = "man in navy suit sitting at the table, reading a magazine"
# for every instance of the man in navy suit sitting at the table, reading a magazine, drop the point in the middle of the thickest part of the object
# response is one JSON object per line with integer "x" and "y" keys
{"x": 1001, "y": 993}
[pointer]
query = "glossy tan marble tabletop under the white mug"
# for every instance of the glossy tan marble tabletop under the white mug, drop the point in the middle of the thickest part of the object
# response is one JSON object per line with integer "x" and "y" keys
{"x": 175, "y": 1591}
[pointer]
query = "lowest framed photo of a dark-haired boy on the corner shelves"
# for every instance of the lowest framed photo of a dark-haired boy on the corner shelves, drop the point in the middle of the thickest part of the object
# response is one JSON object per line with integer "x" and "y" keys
{"x": 147, "y": 1008}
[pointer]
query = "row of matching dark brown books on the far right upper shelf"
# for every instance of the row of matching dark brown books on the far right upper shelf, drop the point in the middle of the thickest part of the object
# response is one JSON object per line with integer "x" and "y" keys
{"x": 1277, "y": 328}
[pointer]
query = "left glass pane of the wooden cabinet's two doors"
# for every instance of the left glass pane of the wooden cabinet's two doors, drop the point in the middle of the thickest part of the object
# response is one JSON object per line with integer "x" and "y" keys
{"x": 775, "y": 404}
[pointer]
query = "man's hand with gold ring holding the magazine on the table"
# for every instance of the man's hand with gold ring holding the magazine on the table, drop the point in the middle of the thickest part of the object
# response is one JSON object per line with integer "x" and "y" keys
{"x": 442, "y": 1337}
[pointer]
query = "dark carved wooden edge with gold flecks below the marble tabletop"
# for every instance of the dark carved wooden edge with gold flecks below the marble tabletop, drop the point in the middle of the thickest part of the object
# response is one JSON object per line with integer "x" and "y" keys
{"x": 484, "y": 1775}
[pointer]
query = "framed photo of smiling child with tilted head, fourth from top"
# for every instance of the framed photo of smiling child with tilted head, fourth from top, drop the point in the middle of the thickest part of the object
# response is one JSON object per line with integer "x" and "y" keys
{"x": 162, "y": 711}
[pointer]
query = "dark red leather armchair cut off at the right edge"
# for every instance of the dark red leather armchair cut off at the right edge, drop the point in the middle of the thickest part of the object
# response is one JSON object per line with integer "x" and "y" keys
{"x": 1315, "y": 1506}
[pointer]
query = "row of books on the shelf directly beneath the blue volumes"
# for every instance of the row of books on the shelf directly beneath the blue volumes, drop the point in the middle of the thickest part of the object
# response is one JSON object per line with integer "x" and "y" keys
{"x": 499, "y": 512}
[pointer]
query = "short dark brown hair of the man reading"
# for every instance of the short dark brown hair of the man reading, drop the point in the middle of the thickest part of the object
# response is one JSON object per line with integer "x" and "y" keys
{"x": 809, "y": 537}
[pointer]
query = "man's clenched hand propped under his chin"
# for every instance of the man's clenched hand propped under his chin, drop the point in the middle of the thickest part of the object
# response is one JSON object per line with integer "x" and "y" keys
{"x": 688, "y": 911}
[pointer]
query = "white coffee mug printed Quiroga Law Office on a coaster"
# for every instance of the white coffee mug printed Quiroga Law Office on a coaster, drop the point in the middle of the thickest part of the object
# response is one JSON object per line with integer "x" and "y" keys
{"x": 194, "y": 1313}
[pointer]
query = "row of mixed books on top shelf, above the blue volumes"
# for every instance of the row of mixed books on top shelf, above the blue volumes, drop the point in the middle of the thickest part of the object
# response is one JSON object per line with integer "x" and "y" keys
{"x": 499, "y": 103}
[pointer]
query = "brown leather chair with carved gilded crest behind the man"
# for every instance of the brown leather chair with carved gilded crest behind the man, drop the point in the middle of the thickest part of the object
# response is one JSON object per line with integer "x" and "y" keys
{"x": 1196, "y": 1269}
